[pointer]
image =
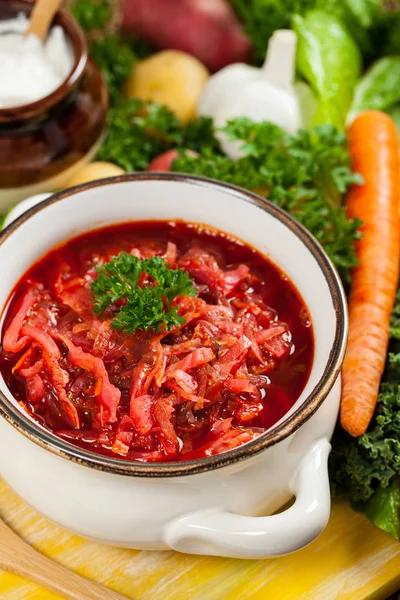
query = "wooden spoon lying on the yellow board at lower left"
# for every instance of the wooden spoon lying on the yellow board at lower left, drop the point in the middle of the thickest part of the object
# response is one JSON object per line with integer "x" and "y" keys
{"x": 19, "y": 557}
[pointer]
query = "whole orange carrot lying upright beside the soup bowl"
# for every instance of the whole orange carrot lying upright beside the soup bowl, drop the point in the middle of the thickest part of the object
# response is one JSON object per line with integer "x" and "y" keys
{"x": 374, "y": 148}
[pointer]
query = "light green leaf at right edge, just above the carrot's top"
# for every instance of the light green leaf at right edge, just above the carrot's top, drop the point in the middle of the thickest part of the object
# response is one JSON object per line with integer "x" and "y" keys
{"x": 379, "y": 88}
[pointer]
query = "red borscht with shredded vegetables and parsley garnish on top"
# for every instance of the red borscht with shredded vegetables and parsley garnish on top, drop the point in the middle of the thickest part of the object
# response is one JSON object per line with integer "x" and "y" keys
{"x": 156, "y": 341}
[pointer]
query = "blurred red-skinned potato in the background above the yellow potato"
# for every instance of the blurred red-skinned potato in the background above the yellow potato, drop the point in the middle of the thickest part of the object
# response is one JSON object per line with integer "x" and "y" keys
{"x": 207, "y": 29}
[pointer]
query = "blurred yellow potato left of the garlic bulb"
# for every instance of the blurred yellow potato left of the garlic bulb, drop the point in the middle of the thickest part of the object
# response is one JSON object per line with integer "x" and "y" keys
{"x": 170, "y": 77}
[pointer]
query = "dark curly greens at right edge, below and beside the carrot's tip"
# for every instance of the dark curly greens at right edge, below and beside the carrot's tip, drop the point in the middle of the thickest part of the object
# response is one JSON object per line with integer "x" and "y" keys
{"x": 367, "y": 469}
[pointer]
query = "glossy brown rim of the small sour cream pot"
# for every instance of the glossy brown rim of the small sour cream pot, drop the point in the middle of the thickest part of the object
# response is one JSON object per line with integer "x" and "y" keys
{"x": 76, "y": 37}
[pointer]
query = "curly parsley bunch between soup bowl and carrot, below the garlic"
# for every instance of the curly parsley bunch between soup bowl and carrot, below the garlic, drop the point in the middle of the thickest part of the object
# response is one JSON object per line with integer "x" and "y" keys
{"x": 305, "y": 175}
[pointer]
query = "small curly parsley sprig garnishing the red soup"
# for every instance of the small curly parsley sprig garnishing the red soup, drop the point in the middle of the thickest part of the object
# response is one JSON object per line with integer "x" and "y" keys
{"x": 146, "y": 307}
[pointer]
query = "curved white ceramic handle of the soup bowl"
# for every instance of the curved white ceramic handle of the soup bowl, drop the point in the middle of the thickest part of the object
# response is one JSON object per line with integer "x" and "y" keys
{"x": 219, "y": 533}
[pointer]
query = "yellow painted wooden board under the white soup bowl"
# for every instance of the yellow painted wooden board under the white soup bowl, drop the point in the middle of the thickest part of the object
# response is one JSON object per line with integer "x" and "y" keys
{"x": 351, "y": 560}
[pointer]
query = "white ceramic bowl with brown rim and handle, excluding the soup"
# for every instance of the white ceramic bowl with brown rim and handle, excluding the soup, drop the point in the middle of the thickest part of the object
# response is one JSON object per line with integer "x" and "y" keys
{"x": 206, "y": 506}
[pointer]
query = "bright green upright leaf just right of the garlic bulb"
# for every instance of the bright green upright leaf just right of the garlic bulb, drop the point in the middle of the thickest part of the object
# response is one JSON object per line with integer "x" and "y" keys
{"x": 329, "y": 59}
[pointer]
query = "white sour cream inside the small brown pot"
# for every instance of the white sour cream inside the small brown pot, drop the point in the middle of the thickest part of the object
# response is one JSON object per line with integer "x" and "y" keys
{"x": 30, "y": 70}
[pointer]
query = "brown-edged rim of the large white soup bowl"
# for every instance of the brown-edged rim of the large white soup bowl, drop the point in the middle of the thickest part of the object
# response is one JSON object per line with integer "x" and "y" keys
{"x": 57, "y": 446}
